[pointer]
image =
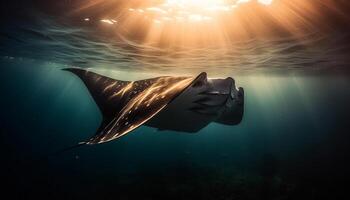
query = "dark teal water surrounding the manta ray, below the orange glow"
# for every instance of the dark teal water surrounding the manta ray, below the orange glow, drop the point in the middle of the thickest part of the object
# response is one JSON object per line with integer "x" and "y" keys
{"x": 293, "y": 142}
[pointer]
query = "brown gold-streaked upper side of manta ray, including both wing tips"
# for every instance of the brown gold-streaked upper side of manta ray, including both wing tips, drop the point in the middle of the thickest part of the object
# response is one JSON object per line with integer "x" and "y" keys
{"x": 127, "y": 105}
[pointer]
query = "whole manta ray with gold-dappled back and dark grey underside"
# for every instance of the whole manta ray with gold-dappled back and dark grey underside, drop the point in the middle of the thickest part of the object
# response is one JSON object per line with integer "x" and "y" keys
{"x": 184, "y": 104}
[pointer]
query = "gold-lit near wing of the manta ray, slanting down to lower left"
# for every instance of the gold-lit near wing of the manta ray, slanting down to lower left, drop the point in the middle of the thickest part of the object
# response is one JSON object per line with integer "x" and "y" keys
{"x": 143, "y": 107}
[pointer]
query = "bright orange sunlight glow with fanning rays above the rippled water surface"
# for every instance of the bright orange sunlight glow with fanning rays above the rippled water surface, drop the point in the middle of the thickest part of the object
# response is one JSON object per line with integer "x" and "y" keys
{"x": 170, "y": 23}
